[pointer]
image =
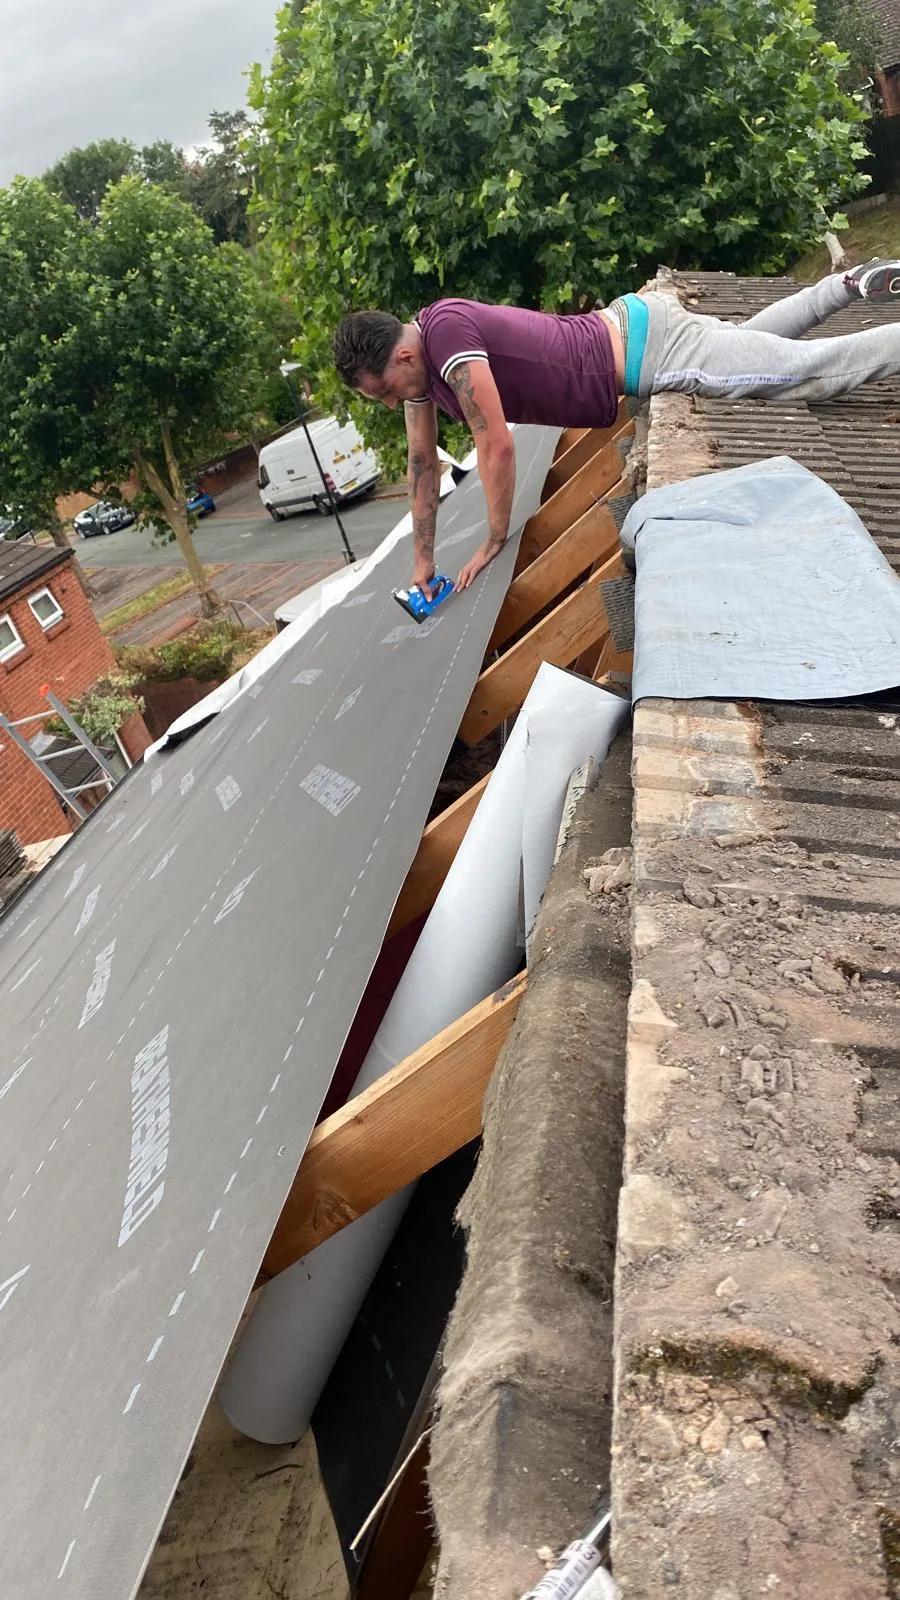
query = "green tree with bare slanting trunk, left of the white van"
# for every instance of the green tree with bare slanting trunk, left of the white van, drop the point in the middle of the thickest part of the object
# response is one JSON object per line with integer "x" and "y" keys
{"x": 126, "y": 345}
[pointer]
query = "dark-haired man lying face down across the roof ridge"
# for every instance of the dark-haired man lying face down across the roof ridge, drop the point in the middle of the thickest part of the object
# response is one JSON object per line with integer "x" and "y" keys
{"x": 491, "y": 366}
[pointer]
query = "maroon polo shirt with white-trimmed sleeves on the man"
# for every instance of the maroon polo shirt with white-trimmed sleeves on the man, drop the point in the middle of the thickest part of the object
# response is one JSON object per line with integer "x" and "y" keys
{"x": 552, "y": 370}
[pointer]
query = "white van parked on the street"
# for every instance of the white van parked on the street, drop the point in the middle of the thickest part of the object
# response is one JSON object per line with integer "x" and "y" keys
{"x": 289, "y": 478}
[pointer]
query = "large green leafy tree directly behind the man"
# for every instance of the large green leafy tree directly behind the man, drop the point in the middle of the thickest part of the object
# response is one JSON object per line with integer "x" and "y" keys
{"x": 542, "y": 153}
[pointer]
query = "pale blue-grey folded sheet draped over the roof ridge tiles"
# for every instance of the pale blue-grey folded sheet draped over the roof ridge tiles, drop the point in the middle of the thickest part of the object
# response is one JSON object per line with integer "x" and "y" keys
{"x": 760, "y": 583}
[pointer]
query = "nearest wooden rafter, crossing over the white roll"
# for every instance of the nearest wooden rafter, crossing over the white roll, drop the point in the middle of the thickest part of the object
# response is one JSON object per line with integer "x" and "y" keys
{"x": 422, "y": 1111}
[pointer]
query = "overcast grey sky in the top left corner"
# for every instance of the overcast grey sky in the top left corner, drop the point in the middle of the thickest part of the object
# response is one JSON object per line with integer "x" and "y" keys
{"x": 73, "y": 71}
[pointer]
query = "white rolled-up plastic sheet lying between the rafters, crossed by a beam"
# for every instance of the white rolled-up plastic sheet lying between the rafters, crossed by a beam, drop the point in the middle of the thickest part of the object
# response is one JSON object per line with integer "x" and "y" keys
{"x": 470, "y": 946}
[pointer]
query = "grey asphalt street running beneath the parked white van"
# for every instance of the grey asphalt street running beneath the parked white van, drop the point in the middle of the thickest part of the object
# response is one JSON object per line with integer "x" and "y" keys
{"x": 236, "y": 534}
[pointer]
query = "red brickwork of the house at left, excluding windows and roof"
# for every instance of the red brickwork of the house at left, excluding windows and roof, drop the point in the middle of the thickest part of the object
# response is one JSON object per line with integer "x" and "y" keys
{"x": 68, "y": 658}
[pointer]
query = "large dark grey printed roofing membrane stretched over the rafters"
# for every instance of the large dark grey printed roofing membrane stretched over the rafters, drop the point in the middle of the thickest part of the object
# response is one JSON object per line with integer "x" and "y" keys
{"x": 175, "y": 991}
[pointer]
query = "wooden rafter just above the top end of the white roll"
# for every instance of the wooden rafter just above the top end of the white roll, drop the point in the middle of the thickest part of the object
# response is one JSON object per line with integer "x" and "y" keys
{"x": 560, "y": 638}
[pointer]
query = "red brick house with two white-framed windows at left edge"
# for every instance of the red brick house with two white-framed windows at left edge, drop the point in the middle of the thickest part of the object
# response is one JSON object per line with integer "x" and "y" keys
{"x": 49, "y": 636}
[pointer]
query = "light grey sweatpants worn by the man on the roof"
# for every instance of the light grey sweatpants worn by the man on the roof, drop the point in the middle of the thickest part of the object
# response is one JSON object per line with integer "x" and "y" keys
{"x": 766, "y": 356}
